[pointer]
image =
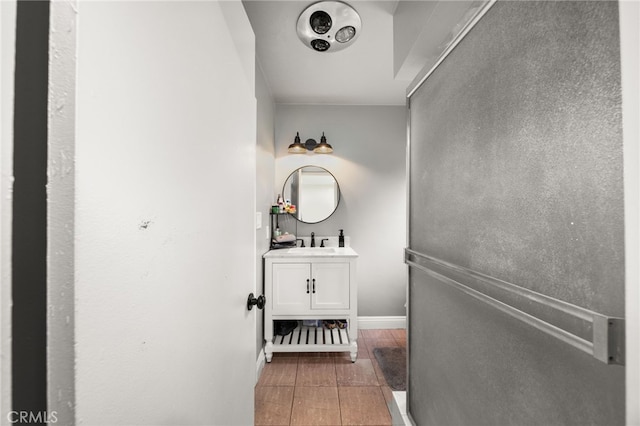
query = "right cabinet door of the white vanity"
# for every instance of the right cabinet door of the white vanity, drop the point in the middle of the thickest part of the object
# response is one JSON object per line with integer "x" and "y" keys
{"x": 330, "y": 286}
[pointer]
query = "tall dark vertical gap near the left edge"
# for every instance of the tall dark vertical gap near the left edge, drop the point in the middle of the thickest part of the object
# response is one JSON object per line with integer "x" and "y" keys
{"x": 29, "y": 229}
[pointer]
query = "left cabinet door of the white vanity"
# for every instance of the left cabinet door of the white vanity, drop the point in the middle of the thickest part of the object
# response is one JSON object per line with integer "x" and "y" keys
{"x": 291, "y": 288}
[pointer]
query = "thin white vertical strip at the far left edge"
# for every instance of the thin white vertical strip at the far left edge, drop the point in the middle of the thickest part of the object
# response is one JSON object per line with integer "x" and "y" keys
{"x": 7, "y": 46}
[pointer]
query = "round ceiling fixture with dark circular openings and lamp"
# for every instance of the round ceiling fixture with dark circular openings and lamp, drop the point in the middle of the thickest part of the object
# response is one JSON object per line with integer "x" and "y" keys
{"x": 329, "y": 26}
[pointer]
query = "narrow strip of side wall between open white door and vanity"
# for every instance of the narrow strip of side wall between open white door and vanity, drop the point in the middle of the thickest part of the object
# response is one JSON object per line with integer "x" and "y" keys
{"x": 265, "y": 176}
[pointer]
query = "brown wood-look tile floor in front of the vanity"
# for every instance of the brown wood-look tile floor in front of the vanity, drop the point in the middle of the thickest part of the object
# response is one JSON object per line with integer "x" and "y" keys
{"x": 327, "y": 388}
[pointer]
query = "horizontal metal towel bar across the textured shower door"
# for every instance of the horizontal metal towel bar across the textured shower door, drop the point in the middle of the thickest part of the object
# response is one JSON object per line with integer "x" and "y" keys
{"x": 607, "y": 344}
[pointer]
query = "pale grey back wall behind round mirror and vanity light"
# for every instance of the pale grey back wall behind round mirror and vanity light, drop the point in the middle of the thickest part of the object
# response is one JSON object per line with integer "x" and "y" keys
{"x": 369, "y": 163}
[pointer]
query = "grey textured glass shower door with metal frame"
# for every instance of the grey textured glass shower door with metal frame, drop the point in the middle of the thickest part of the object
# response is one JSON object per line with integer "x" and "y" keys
{"x": 516, "y": 178}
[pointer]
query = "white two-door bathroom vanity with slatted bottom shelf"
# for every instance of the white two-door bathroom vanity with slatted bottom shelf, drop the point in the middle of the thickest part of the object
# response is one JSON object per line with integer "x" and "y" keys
{"x": 308, "y": 285}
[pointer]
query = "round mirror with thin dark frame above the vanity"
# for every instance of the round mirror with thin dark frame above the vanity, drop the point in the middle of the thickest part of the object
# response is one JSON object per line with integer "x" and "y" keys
{"x": 314, "y": 191}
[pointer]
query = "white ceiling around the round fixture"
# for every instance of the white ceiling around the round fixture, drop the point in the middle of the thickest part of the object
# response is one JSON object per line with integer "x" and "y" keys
{"x": 362, "y": 74}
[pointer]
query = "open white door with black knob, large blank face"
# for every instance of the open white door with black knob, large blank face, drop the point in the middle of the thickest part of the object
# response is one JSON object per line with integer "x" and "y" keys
{"x": 165, "y": 225}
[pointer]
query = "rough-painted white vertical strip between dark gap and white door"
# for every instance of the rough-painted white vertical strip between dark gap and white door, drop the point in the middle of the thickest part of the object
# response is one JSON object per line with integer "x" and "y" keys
{"x": 61, "y": 276}
